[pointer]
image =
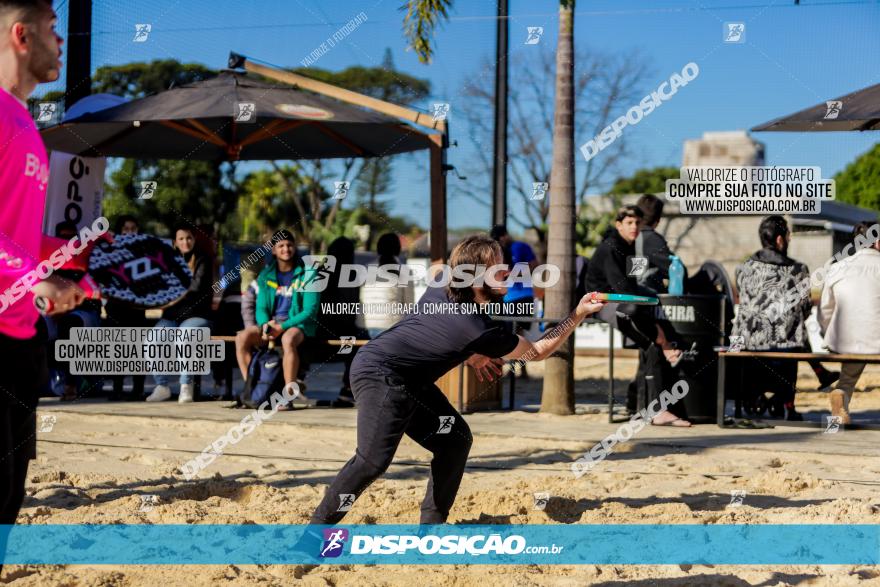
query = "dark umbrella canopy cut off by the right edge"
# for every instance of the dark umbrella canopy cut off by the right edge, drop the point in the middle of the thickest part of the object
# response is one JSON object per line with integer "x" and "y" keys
{"x": 856, "y": 111}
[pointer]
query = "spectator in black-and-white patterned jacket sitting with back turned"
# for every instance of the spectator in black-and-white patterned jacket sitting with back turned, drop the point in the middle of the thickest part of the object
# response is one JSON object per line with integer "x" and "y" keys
{"x": 763, "y": 279}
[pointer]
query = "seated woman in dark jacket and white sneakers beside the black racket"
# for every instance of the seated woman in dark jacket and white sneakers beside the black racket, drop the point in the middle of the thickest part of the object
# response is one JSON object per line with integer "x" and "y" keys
{"x": 193, "y": 310}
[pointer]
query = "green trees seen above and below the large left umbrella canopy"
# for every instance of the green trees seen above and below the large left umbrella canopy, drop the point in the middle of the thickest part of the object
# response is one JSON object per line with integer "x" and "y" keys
{"x": 207, "y": 193}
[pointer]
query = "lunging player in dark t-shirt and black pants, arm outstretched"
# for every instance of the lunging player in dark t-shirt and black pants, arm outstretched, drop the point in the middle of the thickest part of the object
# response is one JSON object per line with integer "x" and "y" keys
{"x": 393, "y": 379}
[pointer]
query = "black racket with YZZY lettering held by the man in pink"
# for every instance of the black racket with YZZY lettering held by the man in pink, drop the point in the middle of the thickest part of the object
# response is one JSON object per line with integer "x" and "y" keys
{"x": 139, "y": 270}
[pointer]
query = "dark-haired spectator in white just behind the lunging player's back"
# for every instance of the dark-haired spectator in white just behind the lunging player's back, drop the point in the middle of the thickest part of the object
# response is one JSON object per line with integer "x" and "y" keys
{"x": 385, "y": 294}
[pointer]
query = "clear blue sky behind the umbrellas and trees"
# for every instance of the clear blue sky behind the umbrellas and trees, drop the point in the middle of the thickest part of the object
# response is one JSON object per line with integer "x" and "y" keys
{"x": 793, "y": 57}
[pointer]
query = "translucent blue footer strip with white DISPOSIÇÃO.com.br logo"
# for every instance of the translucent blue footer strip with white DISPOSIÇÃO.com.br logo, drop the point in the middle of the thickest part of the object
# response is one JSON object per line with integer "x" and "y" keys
{"x": 571, "y": 544}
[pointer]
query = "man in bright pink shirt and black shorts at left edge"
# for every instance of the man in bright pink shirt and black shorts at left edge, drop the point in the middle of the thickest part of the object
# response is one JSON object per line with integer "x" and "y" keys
{"x": 30, "y": 54}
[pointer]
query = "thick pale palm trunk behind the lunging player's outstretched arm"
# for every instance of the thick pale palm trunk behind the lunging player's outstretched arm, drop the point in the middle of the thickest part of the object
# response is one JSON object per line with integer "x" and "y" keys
{"x": 558, "y": 393}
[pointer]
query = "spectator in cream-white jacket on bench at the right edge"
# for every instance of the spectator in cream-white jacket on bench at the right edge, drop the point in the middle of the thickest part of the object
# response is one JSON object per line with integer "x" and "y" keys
{"x": 849, "y": 316}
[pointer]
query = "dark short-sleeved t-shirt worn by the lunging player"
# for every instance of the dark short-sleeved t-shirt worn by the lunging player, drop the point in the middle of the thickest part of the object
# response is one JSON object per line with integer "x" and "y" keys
{"x": 425, "y": 345}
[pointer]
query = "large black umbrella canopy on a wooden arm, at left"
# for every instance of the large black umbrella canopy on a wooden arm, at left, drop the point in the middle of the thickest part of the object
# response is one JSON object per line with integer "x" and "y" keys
{"x": 232, "y": 117}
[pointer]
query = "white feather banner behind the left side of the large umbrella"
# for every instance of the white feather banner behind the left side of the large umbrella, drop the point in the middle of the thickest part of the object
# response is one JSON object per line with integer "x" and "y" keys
{"x": 76, "y": 184}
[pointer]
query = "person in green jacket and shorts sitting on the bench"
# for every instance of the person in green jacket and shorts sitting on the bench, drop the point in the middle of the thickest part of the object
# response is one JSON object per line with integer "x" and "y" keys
{"x": 285, "y": 308}
